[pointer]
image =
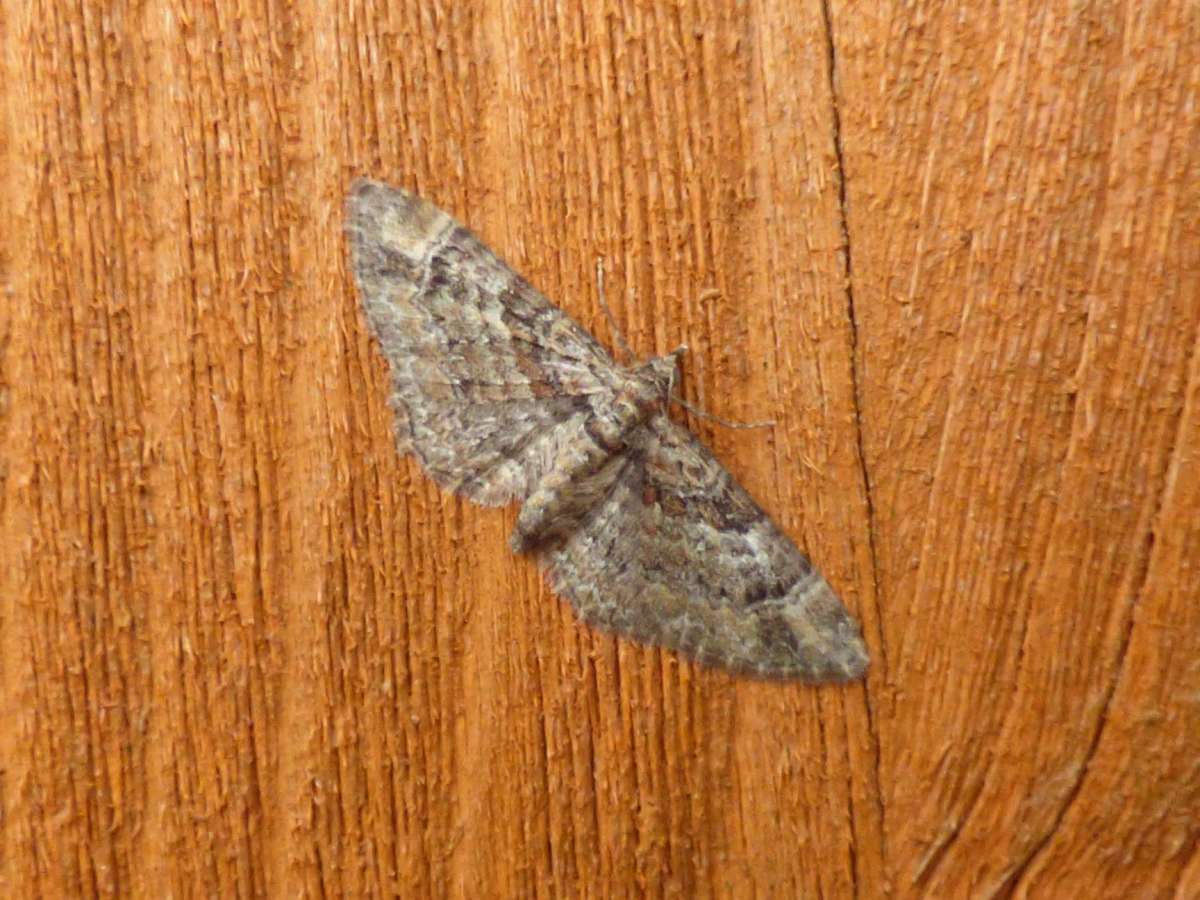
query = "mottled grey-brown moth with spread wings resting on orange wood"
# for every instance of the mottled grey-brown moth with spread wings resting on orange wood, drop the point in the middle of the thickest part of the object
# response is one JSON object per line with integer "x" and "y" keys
{"x": 503, "y": 398}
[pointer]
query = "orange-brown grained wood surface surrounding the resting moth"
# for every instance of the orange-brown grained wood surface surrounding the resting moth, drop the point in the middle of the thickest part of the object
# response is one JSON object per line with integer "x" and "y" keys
{"x": 951, "y": 249}
